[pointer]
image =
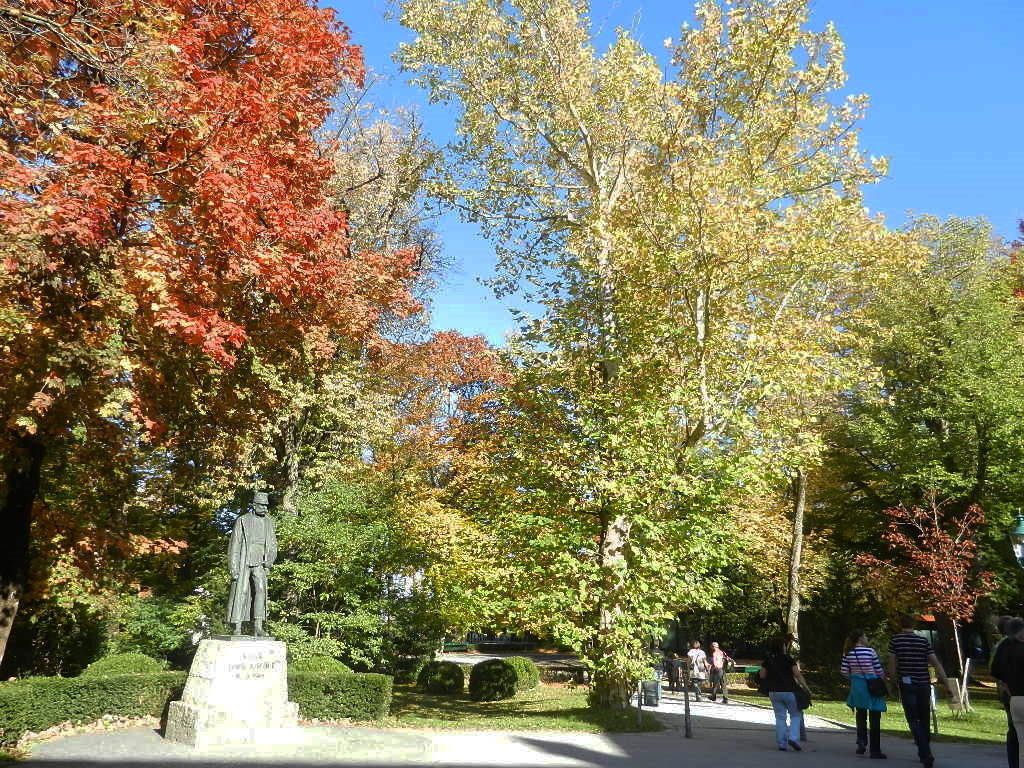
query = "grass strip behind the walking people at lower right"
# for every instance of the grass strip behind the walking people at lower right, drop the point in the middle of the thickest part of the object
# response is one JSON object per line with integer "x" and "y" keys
{"x": 988, "y": 724}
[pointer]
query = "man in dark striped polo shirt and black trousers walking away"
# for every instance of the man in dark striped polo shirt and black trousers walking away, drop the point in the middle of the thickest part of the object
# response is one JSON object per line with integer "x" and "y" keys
{"x": 910, "y": 655}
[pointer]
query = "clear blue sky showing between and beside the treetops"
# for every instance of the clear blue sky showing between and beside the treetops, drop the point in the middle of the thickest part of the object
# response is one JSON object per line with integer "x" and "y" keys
{"x": 947, "y": 83}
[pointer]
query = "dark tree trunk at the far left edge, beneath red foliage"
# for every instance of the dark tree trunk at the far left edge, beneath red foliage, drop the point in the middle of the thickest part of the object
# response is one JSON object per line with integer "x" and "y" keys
{"x": 22, "y": 475}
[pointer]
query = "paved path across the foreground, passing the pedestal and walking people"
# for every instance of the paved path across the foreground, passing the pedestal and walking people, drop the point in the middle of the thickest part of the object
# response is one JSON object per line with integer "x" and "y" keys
{"x": 734, "y": 737}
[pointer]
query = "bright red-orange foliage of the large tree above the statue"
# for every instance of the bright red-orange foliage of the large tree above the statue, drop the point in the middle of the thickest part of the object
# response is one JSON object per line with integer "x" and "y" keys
{"x": 161, "y": 186}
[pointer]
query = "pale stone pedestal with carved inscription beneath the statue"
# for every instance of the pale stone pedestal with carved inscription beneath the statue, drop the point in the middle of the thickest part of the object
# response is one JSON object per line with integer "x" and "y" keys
{"x": 237, "y": 694}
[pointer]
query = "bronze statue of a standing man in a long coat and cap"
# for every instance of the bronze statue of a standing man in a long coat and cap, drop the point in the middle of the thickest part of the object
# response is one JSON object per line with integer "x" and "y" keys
{"x": 251, "y": 551}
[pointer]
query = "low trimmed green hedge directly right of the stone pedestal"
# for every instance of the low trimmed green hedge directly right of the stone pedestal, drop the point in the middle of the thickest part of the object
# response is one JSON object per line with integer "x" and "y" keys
{"x": 358, "y": 696}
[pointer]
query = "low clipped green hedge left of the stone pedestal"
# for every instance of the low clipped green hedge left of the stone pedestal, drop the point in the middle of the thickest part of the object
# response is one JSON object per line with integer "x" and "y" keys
{"x": 37, "y": 704}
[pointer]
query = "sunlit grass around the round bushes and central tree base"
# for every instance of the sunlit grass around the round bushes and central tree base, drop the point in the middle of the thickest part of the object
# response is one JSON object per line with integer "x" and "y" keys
{"x": 544, "y": 708}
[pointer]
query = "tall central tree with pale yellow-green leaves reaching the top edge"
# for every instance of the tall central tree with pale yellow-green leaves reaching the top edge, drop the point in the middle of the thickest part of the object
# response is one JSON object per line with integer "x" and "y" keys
{"x": 701, "y": 249}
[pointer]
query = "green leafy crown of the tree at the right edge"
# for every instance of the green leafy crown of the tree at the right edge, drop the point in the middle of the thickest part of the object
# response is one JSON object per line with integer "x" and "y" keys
{"x": 946, "y": 422}
